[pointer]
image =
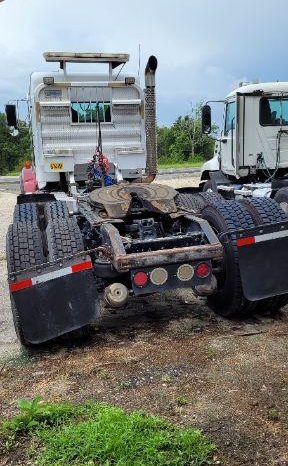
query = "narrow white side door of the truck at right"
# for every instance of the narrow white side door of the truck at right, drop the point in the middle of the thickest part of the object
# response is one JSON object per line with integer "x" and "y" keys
{"x": 228, "y": 140}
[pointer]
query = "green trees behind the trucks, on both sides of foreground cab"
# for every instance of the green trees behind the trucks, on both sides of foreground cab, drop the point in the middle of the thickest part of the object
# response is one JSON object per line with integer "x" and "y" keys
{"x": 181, "y": 142}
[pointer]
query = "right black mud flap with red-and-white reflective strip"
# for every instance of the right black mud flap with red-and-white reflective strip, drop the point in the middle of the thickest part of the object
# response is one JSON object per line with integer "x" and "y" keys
{"x": 263, "y": 260}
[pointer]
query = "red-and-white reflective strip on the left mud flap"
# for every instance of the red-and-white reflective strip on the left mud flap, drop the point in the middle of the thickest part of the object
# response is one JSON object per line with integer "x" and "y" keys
{"x": 27, "y": 283}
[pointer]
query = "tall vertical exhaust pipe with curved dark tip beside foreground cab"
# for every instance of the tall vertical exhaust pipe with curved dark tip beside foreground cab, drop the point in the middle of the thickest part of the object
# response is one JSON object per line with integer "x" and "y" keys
{"x": 150, "y": 120}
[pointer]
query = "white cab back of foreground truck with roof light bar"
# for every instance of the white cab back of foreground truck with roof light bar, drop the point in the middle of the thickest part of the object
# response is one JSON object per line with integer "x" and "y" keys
{"x": 66, "y": 109}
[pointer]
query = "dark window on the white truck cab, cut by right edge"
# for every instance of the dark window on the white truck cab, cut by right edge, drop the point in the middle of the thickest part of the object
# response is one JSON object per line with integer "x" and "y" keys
{"x": 273, "y": 111}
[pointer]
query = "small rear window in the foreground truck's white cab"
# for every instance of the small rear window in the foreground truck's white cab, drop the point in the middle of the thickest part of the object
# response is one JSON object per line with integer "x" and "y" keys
{"x": 89, "y": 112}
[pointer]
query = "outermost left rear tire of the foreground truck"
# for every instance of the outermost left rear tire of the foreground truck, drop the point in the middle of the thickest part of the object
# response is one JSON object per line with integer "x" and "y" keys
{"x": 24, "y": 250}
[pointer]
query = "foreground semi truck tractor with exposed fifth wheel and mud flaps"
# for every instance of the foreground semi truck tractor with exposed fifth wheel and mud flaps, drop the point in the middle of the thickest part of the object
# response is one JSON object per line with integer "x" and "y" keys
{"x": 92, "y": 228}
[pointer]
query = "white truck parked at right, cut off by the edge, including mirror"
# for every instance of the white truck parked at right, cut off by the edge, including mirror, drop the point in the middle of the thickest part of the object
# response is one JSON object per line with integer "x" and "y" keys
{"x": 251, "y": 155}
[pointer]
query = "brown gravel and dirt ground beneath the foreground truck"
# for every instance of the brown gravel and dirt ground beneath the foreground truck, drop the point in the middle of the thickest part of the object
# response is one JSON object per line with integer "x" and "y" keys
{"x": 169, "y": 355}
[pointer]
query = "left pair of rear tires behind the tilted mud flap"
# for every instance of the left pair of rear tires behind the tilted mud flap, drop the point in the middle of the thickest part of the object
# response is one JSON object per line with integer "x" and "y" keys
{"x": 25, "y": 249}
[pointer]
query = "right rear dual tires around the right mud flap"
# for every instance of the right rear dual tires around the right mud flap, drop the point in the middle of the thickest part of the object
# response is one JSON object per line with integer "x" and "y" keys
{"x": 224, "y": 217}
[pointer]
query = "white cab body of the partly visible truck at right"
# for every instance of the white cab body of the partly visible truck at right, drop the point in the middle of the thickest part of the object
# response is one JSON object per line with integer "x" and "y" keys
{"x": 253, "y": 145}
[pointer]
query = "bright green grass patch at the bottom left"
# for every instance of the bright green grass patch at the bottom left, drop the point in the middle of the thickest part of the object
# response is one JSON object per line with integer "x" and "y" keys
{"x": 99, "y": 435}
